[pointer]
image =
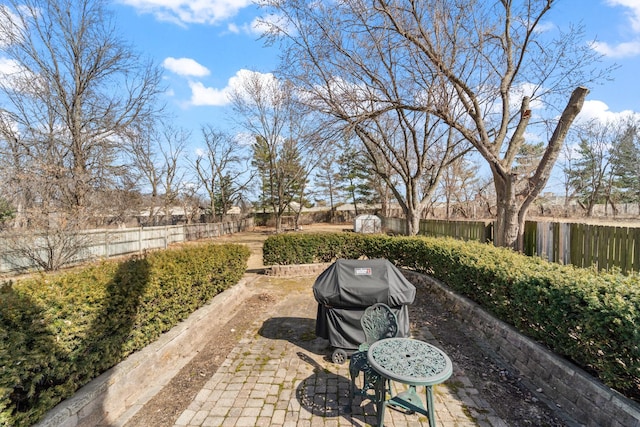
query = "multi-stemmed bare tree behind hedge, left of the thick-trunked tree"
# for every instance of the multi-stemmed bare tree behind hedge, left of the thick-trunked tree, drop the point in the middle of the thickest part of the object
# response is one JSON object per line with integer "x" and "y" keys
{"x": 350, "y": 70}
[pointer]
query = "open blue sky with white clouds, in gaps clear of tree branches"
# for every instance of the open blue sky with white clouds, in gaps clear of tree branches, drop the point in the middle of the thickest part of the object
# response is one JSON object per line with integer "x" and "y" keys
{"x": 203, "y": 46}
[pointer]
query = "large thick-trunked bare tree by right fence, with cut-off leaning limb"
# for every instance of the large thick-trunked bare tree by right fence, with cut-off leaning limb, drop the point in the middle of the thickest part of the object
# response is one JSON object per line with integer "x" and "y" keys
{"x": 484, "y": 68}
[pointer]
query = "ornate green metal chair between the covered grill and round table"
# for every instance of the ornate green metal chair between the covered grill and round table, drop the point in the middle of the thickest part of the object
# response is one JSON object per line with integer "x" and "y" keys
{"x": 378, "y": 322}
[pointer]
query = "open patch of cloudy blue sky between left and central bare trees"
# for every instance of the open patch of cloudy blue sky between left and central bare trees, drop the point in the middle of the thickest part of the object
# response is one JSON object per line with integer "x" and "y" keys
{"x": 203, "y": 46}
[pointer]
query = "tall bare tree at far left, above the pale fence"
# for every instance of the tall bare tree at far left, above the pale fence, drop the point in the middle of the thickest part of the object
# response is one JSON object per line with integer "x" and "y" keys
{"x": 75, "y": 90}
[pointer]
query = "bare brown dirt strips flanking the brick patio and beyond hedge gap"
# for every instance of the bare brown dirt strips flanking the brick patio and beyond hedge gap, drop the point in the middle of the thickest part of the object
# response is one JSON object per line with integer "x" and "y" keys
{"x": 499, "y": 385}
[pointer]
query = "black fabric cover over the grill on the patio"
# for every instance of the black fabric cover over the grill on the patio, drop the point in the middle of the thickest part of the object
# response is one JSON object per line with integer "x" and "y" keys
{"x": 347, "y": 287}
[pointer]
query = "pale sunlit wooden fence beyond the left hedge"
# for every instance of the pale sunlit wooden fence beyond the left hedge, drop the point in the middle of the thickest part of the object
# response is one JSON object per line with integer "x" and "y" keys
{"x": 106, "y": 243}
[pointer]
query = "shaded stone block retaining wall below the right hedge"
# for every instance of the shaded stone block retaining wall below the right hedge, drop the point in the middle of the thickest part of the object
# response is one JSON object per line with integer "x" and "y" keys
{"x": 551, "y": 378}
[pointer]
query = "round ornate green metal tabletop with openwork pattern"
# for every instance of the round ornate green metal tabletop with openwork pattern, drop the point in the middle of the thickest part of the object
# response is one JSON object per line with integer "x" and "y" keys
{"x": 410, "y": 361}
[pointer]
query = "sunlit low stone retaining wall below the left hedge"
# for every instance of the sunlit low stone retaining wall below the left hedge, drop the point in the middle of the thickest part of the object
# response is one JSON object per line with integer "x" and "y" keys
{"x": 113, "y": 397}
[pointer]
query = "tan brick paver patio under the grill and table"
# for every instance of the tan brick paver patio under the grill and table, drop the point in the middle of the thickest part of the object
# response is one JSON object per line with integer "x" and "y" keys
{"x": 279, "y": 375}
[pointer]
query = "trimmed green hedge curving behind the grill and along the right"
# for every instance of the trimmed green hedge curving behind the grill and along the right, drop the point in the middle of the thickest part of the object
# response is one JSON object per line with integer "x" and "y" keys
{"x": 588, "y": 317}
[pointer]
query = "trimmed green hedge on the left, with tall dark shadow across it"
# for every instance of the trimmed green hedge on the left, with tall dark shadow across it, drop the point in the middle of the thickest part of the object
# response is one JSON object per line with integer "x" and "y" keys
{"x": 58, "y": 332}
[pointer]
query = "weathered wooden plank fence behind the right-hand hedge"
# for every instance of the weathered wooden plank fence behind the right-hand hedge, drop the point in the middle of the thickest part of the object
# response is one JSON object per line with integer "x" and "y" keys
{"x": 582, "y": 245}
